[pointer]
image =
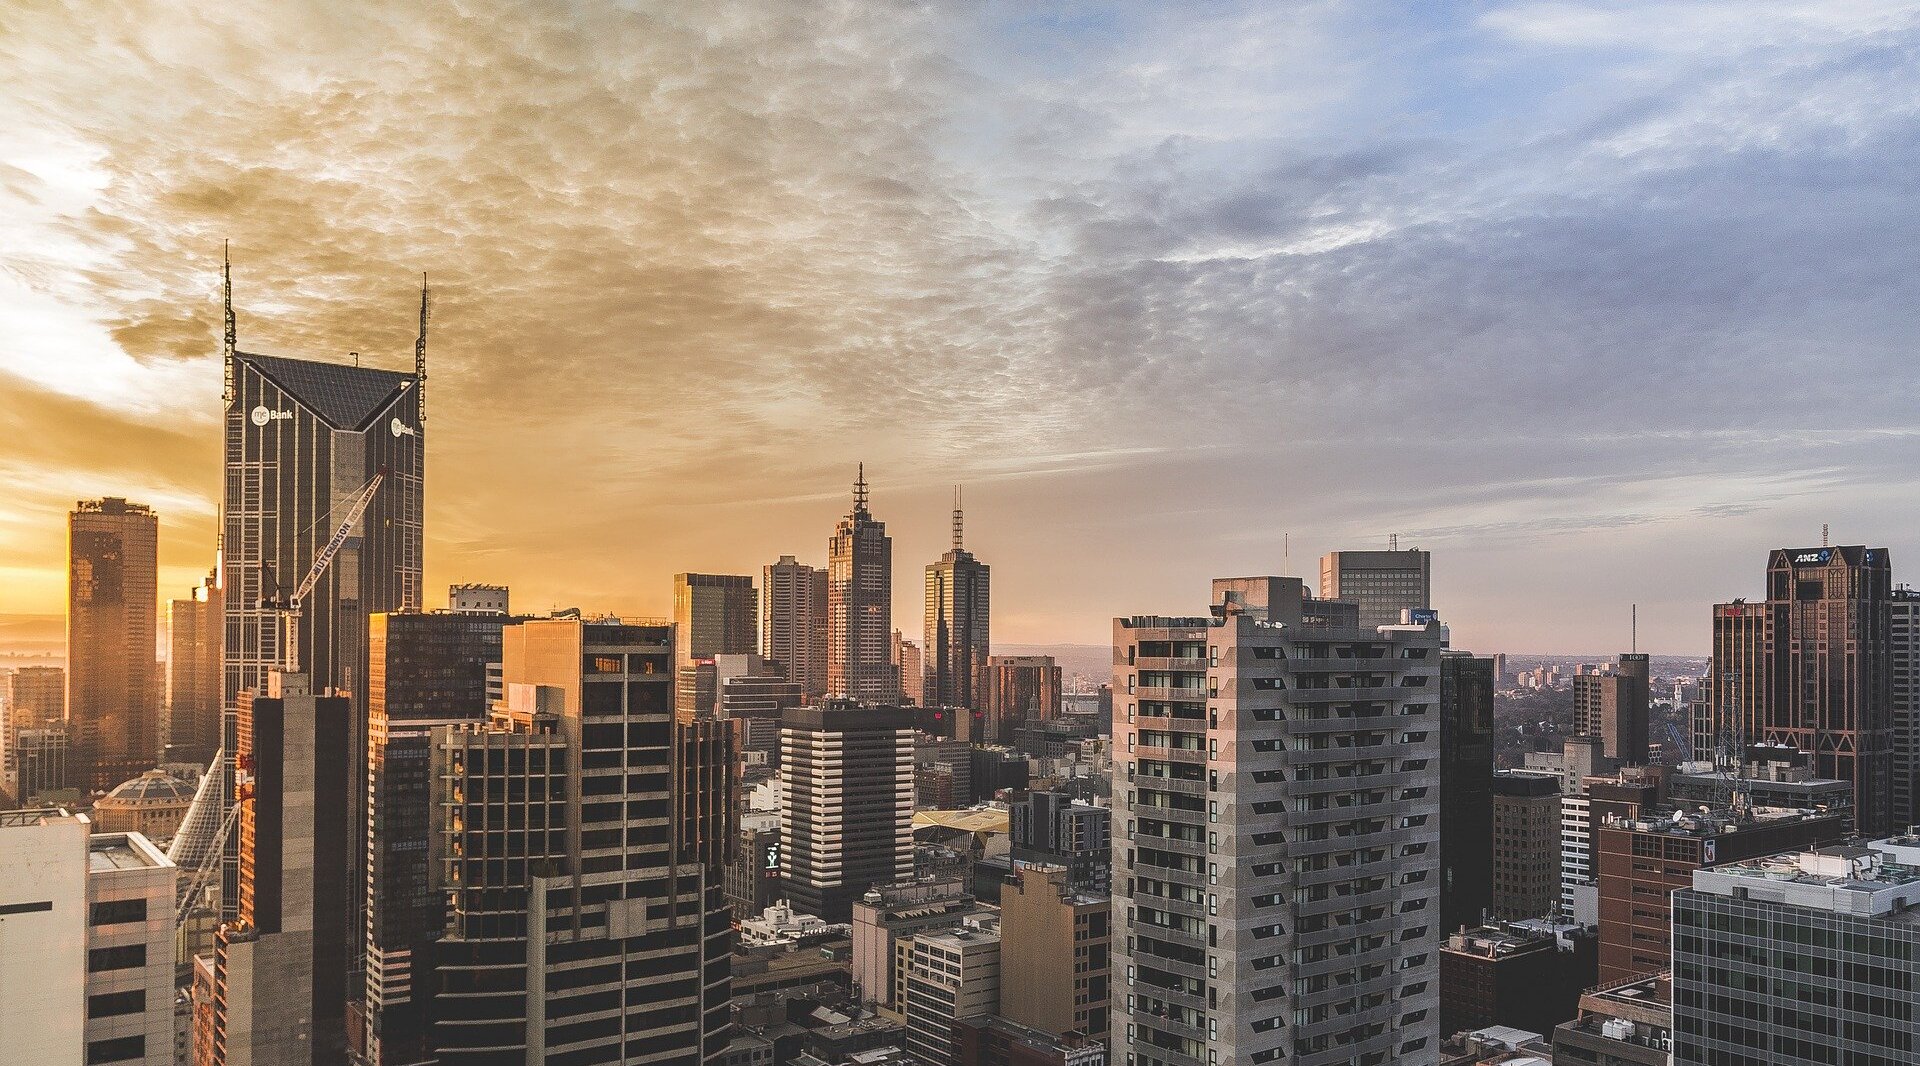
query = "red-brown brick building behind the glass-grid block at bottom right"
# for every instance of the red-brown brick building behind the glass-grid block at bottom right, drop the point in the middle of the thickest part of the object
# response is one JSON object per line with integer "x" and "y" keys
{"x": 1641, "y": 863}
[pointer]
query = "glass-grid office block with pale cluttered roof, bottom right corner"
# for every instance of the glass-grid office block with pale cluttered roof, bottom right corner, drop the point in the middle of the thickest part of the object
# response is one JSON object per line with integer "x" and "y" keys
{"x": 1800, "y": 959}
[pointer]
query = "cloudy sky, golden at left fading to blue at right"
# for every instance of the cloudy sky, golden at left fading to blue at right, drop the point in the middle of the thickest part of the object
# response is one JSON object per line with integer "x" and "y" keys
{"x": 1596, "y": 303}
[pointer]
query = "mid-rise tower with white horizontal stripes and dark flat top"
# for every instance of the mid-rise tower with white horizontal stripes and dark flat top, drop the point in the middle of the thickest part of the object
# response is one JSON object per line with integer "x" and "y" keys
{"x": 848, "y": 800}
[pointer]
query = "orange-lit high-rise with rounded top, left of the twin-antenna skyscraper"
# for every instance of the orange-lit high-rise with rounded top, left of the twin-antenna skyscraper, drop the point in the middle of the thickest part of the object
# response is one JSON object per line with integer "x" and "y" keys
{"x": 112, "y": 652}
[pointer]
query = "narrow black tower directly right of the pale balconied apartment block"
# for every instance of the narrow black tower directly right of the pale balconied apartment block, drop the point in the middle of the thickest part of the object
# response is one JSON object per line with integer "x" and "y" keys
{"x": 1466, "y": 790}
